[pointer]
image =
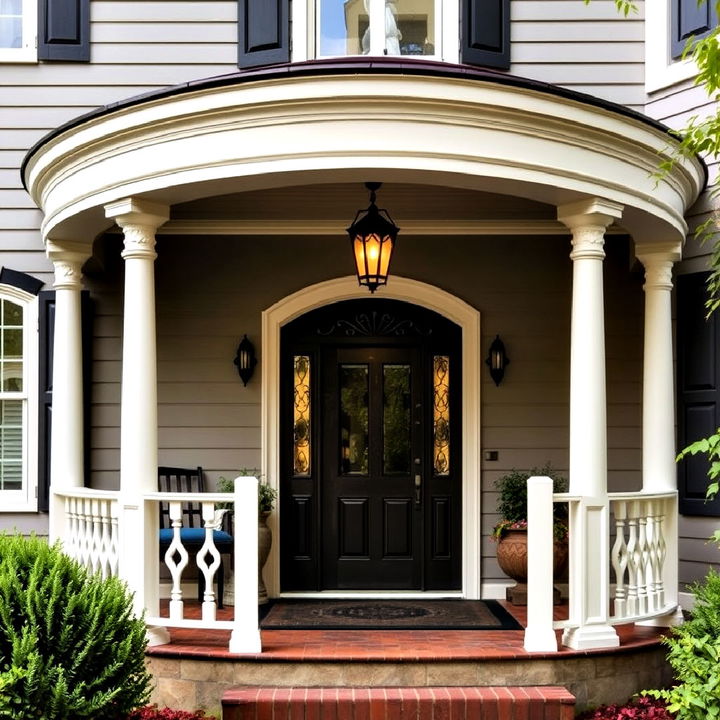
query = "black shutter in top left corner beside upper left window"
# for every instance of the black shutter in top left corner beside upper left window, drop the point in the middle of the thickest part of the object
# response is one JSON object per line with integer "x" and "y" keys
{"x": 64, "y": 30}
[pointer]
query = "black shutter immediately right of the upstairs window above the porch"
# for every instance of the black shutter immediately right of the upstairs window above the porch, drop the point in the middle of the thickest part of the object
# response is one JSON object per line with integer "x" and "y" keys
{"x": 485, "y": 33}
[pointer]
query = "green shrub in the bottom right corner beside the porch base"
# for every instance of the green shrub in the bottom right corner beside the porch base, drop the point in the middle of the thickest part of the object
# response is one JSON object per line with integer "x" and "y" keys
{"x": 695, "y": 657}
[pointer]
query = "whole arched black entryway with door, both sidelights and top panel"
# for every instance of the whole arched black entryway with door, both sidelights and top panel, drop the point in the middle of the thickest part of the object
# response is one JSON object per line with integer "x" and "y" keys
{"x": 370, "y": 493}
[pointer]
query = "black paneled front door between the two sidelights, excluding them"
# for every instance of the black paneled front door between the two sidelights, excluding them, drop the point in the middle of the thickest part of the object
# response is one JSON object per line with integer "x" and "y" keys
{"x": 371, "y": 487}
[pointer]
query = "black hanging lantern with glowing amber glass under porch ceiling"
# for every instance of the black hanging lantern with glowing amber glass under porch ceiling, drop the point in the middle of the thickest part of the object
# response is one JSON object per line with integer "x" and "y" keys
{"x": 372, "y": 237}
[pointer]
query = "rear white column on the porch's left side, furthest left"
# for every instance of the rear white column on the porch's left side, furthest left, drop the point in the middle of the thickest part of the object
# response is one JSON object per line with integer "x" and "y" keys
{"x": 67, "y": 467}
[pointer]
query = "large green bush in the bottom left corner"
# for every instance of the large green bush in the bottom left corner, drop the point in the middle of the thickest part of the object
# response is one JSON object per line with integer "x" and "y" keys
{"x": 70, "y": 646}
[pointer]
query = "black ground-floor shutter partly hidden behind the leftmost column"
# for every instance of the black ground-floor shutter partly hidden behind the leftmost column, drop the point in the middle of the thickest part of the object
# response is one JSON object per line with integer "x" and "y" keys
{"x": 46, "y": 329}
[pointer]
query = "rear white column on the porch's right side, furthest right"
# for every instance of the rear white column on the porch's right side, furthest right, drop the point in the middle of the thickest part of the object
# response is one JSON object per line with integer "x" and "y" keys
{"x": 659, "y": 471}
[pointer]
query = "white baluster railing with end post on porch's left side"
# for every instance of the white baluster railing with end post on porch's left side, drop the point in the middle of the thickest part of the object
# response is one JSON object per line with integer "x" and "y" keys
{"x": 98, "y": 528}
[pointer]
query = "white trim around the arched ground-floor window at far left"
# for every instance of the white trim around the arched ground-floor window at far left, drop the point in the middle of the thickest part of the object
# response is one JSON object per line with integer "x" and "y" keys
{"x": 25, "y": 500}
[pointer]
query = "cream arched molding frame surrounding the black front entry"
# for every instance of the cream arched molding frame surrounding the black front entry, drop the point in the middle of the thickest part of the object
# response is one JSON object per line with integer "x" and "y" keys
{"x": 399, "y": 288}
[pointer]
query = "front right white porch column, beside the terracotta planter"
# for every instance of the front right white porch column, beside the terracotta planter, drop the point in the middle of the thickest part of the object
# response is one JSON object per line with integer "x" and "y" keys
{"x": 589, "y": 531}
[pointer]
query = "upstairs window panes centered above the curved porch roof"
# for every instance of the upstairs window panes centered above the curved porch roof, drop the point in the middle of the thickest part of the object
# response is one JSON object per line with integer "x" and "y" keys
{"x": 377, "y": 27}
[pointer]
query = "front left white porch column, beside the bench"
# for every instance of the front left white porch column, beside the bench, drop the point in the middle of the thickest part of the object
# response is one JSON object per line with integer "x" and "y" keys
{"x": 139, "y": 562}
